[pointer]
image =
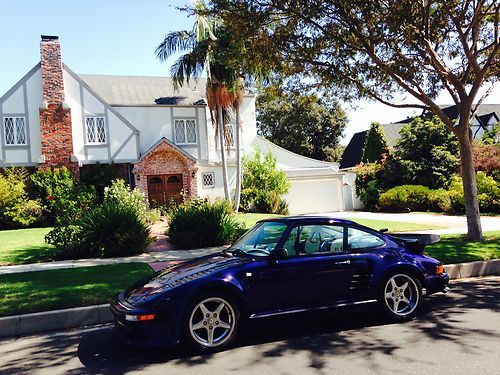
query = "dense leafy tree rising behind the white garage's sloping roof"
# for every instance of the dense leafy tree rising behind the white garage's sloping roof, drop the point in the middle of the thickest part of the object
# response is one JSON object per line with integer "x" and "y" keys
{"x": 302, "y": 123}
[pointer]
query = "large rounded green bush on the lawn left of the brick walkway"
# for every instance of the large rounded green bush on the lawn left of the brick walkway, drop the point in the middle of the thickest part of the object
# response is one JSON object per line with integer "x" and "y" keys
{"x": 109, "y": 230}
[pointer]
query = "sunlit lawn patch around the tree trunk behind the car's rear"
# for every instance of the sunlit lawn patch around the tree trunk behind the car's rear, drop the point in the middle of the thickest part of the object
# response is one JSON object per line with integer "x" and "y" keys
{"x": 453, "y": 249}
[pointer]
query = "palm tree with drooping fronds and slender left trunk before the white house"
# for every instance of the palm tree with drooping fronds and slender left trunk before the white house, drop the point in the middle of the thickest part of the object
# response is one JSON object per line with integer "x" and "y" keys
{"x": 203, "y": 48}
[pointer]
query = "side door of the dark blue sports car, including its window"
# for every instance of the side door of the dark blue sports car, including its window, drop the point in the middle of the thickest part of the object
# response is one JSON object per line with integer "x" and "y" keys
{"x": 316, "y": 273}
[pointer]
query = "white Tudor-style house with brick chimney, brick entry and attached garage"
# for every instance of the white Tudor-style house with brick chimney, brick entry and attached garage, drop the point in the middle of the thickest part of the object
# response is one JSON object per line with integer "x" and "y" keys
{"x": 161, "y": 139}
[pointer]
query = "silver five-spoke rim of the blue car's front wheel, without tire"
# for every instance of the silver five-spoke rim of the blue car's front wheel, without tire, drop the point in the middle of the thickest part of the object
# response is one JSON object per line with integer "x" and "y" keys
{"x": 212, "y": 322}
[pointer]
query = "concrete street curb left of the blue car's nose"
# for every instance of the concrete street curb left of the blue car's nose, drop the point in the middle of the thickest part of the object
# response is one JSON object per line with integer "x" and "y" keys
{"x": 25, "y": 324}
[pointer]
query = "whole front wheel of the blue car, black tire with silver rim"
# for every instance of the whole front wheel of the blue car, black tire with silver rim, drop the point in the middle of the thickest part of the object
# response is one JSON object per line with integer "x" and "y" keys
{"x": 199, "y": 339}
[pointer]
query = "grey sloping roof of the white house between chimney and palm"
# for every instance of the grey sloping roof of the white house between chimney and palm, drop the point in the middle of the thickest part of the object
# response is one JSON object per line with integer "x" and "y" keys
{"x": 145, "y": 91}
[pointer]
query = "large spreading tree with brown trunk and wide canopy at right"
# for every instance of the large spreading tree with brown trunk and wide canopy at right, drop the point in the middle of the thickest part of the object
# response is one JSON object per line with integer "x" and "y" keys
{"x": 377, "y": 48}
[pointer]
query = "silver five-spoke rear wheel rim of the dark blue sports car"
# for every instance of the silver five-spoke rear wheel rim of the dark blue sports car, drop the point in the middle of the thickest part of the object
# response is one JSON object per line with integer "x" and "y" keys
{"x": 401, "y": 296}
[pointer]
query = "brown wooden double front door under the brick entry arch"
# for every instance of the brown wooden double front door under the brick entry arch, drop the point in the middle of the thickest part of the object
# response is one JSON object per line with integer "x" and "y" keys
{"x": 163, "y": 188}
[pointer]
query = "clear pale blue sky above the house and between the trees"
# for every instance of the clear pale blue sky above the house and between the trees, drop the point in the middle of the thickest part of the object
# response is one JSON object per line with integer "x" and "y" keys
{"x": 119, "y": 37}
